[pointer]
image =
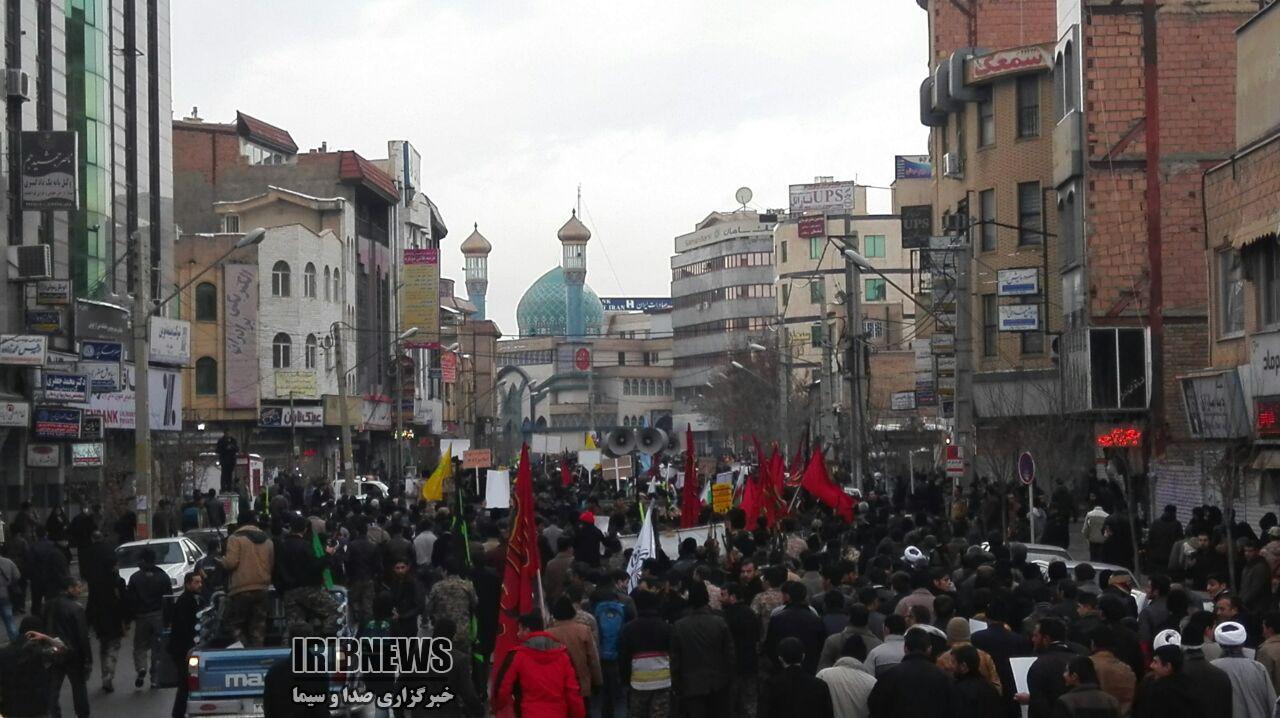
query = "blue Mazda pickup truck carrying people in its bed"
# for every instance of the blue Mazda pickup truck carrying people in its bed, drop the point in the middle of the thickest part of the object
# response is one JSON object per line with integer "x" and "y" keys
{"x": 230, "y": 682}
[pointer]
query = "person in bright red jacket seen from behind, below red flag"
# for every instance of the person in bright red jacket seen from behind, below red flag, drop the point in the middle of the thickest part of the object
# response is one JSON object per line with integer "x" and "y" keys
{"x": 538, "y": 676}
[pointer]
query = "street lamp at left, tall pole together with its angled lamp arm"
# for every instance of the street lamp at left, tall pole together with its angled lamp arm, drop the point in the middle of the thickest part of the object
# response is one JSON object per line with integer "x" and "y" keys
{"x": 143, "y": 313}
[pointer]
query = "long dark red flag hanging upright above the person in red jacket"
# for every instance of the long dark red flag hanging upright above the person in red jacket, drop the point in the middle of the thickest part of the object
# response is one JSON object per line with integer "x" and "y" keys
{"x": 520, "y": 574}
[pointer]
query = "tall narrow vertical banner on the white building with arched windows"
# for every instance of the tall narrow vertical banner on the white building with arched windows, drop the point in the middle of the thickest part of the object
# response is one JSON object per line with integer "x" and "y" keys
{"x": 240, "y": 367}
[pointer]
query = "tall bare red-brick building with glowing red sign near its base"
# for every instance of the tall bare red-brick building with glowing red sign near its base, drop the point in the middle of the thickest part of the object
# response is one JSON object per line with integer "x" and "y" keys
{"x": 1144, "y": 90}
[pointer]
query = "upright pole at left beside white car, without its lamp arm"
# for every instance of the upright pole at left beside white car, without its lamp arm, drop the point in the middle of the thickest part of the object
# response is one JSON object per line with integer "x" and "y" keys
{"x": 141, "y": 379}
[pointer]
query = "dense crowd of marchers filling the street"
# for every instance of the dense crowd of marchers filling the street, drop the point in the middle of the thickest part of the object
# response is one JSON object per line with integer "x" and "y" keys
{"x": 915, "y": 610}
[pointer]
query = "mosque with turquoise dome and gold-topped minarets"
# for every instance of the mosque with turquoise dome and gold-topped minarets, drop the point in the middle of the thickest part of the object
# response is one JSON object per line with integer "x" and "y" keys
{"x": 577, "y": 368}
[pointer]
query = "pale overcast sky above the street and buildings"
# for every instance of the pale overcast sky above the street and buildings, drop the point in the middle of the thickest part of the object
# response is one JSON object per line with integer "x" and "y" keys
{"x": 661, "y": 111}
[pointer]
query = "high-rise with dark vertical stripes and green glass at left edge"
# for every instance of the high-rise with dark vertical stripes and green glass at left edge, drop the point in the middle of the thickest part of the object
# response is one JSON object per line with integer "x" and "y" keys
{"x": 102, "y": 72}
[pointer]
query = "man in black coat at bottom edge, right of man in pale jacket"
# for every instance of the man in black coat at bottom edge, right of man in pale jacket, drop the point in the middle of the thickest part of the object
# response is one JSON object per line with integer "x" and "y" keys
{"x": 916, "y": 688}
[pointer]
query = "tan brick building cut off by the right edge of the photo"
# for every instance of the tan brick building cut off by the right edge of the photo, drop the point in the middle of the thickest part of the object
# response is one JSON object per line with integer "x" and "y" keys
{"x": 1233, "y": 405}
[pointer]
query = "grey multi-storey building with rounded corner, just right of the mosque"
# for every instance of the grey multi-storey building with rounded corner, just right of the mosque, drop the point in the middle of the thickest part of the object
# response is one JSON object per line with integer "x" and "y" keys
{"x": 723, "y": 291}
